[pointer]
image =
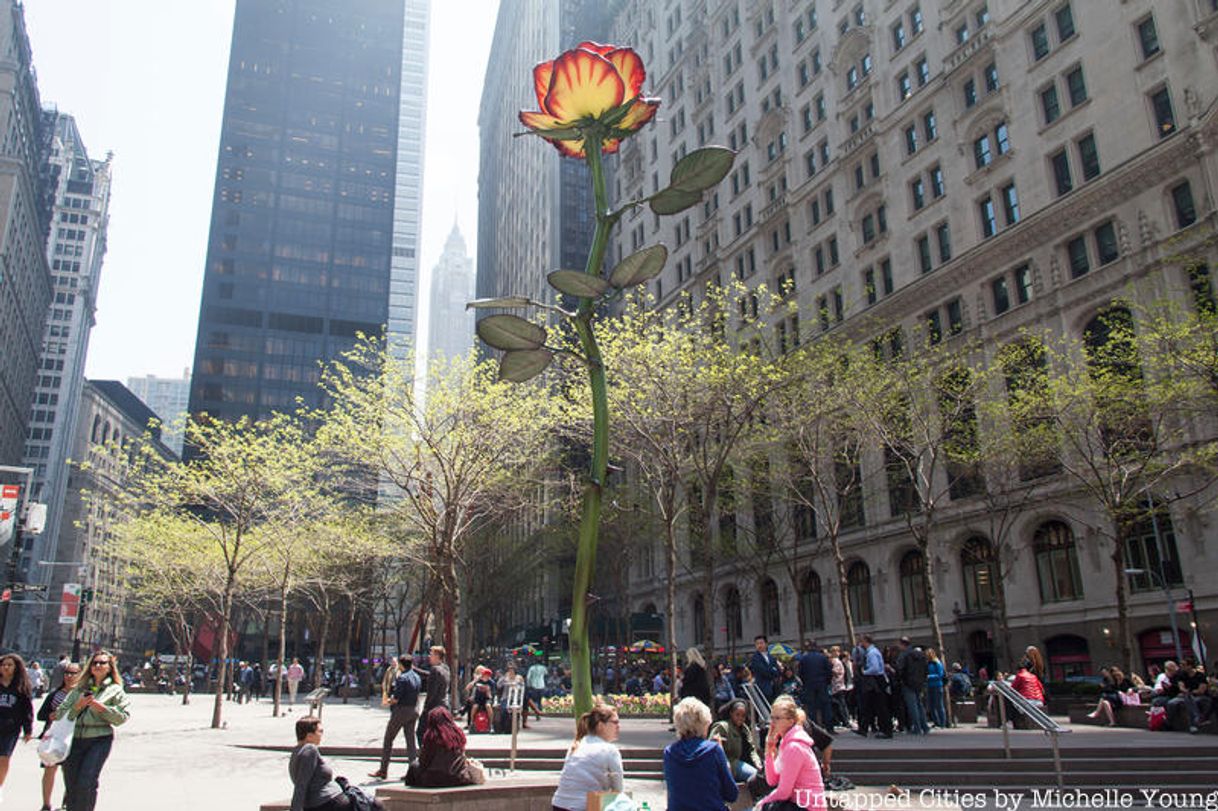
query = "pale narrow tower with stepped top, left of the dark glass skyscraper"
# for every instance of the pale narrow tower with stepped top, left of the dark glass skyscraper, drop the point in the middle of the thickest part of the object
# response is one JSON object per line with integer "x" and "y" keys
{"x": 76, "y": 250}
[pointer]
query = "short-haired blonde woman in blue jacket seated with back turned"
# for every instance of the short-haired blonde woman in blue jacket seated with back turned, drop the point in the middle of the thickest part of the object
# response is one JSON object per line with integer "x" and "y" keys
{"x": 695, "y": 769}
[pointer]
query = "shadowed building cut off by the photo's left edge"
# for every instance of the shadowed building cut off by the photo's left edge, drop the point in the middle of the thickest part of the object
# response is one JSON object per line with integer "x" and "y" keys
{"x": 25, "y": 220}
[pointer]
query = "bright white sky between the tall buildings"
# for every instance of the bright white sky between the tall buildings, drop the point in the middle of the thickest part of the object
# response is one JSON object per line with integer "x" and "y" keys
{"x": 146, "y": 81}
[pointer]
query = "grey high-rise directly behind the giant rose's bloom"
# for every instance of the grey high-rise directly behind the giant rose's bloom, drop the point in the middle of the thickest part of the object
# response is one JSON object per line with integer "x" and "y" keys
{"x": 534, "y": 216}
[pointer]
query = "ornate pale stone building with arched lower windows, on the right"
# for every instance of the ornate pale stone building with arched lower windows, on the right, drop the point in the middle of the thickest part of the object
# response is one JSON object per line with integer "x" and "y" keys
{"x": 941, "y": 169}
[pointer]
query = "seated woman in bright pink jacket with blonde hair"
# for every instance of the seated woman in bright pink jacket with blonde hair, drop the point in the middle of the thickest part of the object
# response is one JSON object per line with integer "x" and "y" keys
{"x": 790, "y": 763}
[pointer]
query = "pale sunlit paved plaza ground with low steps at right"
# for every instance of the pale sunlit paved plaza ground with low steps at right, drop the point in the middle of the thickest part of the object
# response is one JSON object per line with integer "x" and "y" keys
{"x": 169, "y": 758}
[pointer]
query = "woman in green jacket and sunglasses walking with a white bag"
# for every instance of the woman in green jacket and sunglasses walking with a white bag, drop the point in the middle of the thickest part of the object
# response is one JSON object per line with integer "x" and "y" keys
{"x": 98, "y": 704}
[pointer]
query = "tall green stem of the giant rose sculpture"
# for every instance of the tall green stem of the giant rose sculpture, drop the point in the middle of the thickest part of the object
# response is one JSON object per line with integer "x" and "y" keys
{"x": 590, "y": 521}
